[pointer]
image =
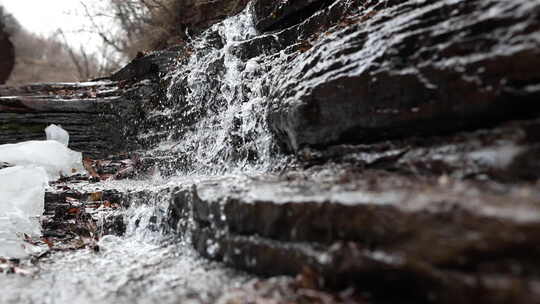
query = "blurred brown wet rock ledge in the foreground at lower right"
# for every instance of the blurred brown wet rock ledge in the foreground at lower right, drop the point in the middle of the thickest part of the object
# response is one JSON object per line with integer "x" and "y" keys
{"x": 376, "y": 231}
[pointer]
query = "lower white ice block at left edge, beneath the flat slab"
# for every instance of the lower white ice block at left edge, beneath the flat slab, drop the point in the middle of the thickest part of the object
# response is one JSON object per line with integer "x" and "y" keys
{"x": 22, "y": 199}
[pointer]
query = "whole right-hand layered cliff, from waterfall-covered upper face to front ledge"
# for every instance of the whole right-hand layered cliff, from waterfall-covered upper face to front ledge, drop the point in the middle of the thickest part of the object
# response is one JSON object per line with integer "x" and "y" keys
{"x": 357, "y": 90}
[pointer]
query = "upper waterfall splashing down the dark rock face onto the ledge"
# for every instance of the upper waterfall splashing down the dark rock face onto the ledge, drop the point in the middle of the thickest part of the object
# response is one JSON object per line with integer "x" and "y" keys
{"x": 213, "y": 118}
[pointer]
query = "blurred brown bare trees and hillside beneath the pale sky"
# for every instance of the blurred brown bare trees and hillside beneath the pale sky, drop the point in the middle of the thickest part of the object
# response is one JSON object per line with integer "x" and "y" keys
{"x": 121, "y": 29}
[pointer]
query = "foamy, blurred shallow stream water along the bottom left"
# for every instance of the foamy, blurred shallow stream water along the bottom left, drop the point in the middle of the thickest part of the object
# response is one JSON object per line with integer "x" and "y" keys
{"x": 126, "y": 270}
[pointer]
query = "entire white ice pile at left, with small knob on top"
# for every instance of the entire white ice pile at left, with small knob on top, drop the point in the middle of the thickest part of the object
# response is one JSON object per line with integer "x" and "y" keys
{"x": 22, "y": 187}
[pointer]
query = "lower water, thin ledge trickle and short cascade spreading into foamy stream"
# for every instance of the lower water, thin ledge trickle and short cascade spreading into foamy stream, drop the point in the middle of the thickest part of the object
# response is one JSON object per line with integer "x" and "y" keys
{"x": 144, "y": 266}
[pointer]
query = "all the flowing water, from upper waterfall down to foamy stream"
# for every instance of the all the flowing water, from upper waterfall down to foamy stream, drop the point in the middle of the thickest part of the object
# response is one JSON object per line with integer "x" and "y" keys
{"x": 214, "y": 117}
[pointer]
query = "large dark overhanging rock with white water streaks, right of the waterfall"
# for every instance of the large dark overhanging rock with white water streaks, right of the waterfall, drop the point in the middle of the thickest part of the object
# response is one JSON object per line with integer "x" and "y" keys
{"x": 409, "y": 67}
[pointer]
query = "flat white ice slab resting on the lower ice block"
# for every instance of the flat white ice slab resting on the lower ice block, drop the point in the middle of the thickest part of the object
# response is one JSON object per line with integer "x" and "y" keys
{"x": 53, "y": 156}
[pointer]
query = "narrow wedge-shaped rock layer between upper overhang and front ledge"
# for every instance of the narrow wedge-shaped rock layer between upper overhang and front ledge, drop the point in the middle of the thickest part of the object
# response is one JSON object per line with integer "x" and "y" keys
{"x": 507, "y": 152}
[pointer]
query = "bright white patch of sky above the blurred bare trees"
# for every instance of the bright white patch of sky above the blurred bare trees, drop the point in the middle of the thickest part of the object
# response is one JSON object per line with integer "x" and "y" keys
{"x": 46, "y": 16}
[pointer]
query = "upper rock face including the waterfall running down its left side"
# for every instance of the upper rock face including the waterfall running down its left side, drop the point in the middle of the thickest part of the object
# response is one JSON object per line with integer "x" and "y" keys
{"x": 334, "y": 72}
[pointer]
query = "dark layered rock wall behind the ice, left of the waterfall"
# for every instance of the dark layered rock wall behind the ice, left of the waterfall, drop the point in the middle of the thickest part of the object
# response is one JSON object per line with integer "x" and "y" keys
{"x": 99, "y": 116}
